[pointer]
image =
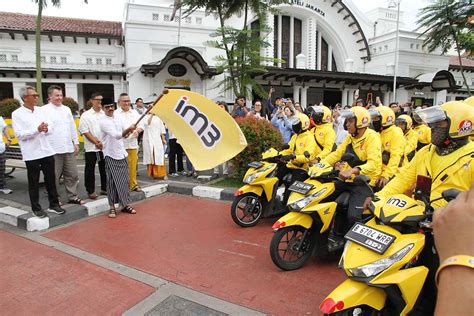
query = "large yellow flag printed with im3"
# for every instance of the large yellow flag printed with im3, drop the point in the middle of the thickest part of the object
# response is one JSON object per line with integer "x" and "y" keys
{"x": 207, "y": 133}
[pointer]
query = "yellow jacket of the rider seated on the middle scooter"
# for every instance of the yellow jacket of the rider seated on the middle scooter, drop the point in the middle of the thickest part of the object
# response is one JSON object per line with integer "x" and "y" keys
{"x": 367, "y": 149}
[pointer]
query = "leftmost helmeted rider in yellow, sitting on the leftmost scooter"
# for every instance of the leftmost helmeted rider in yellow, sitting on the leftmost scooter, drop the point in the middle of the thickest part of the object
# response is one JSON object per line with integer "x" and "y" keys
{"x": 301, "y": 150}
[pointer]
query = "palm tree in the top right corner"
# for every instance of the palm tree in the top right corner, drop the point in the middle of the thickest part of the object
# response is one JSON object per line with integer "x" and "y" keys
{"x": 445, "y": 23}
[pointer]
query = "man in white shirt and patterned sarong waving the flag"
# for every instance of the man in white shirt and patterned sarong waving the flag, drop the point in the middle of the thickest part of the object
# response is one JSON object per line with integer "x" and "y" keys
{"x": 116, "y": 164}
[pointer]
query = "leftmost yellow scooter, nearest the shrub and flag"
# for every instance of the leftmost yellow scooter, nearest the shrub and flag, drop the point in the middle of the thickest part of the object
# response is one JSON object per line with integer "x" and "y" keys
{"x": 260, "y": 196}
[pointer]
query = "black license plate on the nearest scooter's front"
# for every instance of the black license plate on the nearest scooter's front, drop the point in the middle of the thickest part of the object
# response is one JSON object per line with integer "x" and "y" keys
{"x": 370, "y": 238}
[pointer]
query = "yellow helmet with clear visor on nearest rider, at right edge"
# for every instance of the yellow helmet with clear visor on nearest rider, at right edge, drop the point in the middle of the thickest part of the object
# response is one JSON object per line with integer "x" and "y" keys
{"x": 459, "y": 115}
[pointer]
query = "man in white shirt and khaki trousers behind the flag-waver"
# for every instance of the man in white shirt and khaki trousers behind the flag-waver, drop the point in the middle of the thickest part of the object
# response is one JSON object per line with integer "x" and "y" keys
{"x": 129, "y": 116}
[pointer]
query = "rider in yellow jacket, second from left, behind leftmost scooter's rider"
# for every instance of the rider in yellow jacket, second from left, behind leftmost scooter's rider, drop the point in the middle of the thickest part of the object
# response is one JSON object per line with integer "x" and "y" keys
{"x": 323, "y": 132}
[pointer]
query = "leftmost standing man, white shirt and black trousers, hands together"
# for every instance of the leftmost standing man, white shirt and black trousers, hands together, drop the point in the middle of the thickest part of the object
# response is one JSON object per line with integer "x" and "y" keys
{"x": 32, "y": 130}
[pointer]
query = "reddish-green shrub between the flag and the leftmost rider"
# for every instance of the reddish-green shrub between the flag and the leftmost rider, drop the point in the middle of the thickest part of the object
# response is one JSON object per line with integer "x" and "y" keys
{"x": 261, "y": 135}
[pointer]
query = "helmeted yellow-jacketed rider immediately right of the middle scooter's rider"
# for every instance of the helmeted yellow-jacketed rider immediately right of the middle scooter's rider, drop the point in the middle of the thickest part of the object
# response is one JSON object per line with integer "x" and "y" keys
{"x": 393, "y": 142}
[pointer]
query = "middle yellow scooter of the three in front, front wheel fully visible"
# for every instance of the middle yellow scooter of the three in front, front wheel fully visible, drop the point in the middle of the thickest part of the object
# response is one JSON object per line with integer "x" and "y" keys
{"x": 304, "y": 231}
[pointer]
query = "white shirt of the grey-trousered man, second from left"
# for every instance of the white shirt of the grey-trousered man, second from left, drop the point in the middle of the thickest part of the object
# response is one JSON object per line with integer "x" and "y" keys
{"x": 64, "y": 136}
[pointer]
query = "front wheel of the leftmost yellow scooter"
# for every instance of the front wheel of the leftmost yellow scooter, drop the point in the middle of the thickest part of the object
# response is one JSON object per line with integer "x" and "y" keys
{"x": 246, "y": 210}
